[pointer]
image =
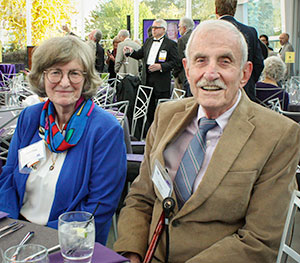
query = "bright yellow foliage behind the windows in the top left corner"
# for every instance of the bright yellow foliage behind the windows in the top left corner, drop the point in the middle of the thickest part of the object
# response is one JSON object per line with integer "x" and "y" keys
{"x": 47, "y": 16}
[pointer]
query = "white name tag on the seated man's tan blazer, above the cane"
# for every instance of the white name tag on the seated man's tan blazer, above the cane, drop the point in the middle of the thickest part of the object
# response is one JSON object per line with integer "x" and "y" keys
{"x": 162, "y": 180}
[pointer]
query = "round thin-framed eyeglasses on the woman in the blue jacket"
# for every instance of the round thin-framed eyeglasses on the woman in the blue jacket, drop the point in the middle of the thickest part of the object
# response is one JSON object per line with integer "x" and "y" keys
{"x": 55, "y": 76}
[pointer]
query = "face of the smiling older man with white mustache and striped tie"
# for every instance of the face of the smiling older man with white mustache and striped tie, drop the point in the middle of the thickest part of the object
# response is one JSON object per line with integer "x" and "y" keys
{"x": 214, "y": 71}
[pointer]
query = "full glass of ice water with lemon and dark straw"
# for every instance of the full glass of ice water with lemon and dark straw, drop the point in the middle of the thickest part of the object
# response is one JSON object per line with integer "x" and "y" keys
{"x": 76, "y": 234}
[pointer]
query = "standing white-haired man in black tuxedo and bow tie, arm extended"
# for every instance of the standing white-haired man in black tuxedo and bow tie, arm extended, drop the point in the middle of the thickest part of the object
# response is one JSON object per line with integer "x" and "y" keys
{"x": 159, "y": 56}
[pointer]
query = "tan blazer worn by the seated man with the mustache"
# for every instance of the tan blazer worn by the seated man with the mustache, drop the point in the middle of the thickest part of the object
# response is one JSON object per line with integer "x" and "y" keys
{"x": 238, "y": 212}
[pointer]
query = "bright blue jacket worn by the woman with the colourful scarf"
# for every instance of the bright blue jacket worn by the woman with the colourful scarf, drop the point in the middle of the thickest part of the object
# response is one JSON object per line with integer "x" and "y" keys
{"x": 94, "y": 170}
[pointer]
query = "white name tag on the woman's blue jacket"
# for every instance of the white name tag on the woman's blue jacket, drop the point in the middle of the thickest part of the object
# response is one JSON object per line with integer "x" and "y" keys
{"x": 31, "y": 155}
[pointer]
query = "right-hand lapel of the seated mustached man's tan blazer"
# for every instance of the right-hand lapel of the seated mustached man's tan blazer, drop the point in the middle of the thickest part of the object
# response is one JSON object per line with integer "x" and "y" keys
{"x": 236, "y": 134}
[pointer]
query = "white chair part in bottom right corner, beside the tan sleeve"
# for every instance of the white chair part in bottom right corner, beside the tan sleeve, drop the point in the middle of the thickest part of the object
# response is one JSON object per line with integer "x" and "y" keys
{"x": 285, "y": 249}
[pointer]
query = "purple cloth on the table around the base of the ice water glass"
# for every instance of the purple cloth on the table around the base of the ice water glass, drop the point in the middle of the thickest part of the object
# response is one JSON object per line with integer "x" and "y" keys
{"x": 101, "y": 254}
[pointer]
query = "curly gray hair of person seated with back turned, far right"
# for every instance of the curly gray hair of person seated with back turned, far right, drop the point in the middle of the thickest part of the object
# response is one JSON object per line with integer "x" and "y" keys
{"x": 274, "y": 68}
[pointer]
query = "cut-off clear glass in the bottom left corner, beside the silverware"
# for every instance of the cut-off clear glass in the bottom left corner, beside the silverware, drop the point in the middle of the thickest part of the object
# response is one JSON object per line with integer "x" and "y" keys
{"x": 30, "y": 253}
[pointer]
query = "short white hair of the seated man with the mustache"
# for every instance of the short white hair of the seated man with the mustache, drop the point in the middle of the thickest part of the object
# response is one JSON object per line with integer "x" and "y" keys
{"x": 220, "y": 25}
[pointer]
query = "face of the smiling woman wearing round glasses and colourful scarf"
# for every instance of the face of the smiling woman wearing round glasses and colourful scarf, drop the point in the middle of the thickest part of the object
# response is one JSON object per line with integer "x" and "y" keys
{"x": 64, "y": 94}
